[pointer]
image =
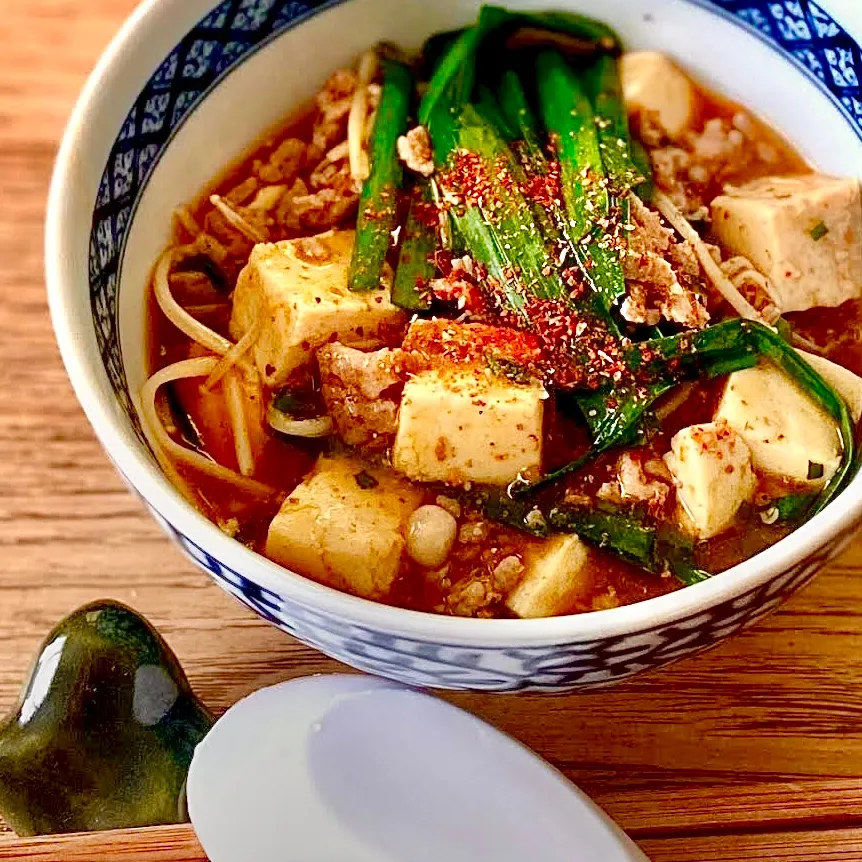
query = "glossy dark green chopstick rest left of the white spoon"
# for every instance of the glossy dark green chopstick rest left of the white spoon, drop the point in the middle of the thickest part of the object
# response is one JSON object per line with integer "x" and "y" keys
{"x": 104, "y": 733}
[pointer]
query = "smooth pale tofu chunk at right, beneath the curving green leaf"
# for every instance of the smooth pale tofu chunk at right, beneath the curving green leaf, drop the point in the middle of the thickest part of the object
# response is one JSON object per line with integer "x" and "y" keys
{"x": 788, "y": 434}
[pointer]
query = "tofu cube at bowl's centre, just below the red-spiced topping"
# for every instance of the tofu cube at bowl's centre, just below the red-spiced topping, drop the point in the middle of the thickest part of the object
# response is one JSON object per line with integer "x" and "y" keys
{"x": 462, "y": 424}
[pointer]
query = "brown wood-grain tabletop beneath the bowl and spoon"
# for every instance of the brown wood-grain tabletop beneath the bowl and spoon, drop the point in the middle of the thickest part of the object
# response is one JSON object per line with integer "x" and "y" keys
{"x": 751, "y": 751}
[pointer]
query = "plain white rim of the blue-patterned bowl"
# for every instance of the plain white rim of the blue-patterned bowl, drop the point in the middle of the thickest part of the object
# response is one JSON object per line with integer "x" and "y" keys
{"x": 103, "y": 104}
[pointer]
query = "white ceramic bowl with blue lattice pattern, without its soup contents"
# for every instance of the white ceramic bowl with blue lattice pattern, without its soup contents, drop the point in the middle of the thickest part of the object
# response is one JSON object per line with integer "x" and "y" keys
{"x": 188, "y": 85}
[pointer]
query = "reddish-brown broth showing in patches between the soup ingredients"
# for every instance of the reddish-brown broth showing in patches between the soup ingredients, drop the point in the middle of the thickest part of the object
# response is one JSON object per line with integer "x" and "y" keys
{"x": 283, "y": 464}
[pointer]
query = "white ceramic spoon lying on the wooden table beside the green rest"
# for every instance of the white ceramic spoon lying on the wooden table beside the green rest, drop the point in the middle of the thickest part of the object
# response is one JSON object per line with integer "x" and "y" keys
{"x": 356, "y": 769}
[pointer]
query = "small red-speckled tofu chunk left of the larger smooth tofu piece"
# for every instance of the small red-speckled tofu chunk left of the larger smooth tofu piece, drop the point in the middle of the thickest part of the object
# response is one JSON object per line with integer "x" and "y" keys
{"x": 711, "y": 468}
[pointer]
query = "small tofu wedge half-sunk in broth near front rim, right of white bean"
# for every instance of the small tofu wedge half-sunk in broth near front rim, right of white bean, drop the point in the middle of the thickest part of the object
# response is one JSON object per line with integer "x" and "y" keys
{"x": 556, "y": 576}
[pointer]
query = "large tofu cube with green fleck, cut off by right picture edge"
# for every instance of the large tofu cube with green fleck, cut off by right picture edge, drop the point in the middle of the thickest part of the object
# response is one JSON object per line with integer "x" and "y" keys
{"x": 804, "y": 233}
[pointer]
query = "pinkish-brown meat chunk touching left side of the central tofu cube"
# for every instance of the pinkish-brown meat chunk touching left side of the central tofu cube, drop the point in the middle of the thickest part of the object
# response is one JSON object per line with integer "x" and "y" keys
{"x": 362, "y": 392}
